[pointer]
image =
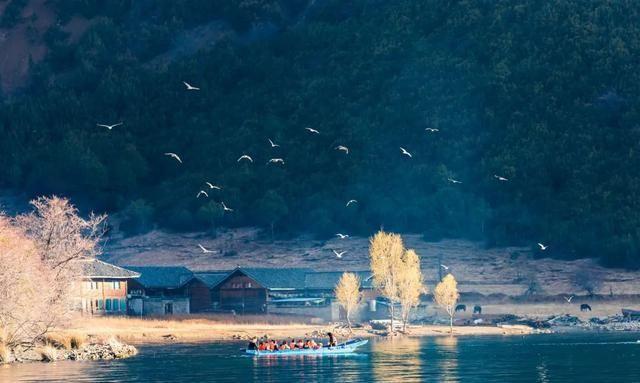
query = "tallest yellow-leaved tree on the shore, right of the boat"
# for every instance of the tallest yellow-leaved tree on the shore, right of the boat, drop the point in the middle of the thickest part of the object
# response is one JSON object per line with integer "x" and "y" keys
{"x": 385, "y": 253}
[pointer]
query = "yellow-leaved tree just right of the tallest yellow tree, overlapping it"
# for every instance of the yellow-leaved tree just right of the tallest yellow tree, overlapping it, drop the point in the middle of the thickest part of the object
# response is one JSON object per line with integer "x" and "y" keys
{"x": 410, "y": 285}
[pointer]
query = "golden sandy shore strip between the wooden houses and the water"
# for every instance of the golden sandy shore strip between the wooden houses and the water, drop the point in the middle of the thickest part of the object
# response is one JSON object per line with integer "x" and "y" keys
{"x": 202, "y": 329}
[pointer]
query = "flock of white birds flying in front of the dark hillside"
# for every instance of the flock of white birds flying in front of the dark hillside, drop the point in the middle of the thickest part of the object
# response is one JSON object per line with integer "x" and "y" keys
{"x": 278, "y": 160}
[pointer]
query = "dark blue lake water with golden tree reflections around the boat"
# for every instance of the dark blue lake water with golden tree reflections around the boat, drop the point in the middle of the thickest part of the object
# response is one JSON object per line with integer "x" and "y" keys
{"x": 533, "y": 358}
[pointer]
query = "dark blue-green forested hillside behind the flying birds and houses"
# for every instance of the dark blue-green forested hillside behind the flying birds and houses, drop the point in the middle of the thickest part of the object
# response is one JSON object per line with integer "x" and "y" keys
{"x": 544, "y": 94}
